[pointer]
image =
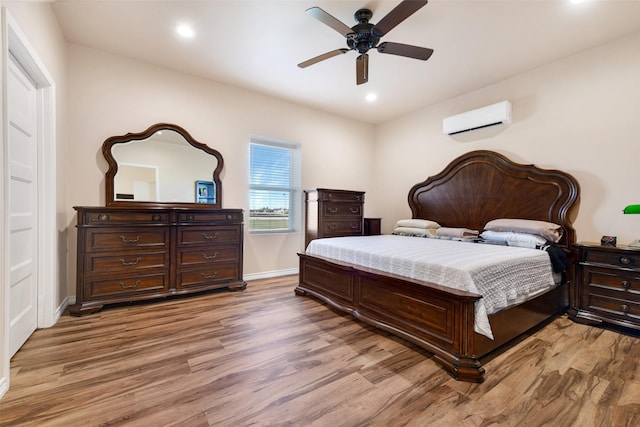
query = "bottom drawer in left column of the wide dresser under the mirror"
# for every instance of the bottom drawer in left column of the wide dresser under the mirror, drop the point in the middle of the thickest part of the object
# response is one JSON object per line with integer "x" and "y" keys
{"x": 123, "y": 287}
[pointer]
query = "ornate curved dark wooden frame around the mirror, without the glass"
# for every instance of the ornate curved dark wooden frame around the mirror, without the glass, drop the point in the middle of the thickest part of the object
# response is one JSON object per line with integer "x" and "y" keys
{"x": 109, "y": 143}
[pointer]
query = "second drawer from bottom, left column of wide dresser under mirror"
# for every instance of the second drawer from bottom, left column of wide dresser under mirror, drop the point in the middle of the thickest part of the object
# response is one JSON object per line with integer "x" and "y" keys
{"x": 98, "y": 263}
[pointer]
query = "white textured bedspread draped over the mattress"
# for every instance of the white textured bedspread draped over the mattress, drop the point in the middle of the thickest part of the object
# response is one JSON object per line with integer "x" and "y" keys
{"x": 503, "y": 275}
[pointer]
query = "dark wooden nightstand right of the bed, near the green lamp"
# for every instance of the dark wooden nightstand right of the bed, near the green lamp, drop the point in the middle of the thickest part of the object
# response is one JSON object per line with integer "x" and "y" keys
{"x": 607, "y": 285}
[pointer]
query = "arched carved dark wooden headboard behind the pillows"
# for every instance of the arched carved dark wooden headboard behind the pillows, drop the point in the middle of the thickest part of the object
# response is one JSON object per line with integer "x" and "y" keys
{"x": 480, "y": 186}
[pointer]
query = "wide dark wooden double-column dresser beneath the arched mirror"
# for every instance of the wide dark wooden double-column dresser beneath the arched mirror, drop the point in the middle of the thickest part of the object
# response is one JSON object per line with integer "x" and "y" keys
{"x": 130, "y": 254}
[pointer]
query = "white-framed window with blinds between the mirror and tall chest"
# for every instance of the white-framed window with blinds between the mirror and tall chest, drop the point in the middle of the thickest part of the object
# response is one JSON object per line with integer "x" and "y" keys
{"x": 274, "y": 183}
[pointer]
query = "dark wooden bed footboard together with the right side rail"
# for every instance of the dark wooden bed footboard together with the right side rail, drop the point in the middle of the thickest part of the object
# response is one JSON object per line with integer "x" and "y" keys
{"x": 438, "y": 319}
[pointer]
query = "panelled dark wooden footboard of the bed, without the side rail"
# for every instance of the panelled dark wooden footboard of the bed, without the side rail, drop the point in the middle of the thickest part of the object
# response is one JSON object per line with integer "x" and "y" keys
{"x": 438, "y": 319}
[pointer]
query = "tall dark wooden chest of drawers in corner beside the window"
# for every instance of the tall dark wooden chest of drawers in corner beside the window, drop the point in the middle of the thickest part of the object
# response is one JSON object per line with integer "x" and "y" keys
{"x": 333, "y": 213}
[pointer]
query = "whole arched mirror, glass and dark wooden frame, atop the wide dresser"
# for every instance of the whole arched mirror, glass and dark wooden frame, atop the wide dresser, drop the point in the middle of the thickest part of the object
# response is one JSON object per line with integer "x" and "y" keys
{"x": 162, "y": 166}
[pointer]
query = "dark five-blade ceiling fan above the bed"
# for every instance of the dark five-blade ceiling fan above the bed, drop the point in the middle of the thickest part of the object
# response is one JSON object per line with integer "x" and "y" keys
{"x": 364, "y": 36}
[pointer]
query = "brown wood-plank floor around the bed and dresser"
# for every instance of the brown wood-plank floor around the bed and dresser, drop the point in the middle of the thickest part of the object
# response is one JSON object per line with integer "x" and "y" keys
{"x": 265, "y": 357}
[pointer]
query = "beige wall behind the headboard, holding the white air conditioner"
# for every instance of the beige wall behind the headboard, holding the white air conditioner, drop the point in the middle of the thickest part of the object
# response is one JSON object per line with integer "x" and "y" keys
{"x": 581, "y": 115}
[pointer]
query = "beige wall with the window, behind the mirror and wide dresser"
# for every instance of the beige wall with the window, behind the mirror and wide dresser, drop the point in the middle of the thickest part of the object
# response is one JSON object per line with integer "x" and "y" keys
{"x": 111, "y": 95}
